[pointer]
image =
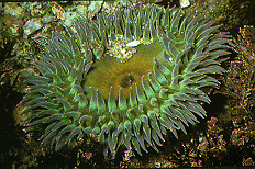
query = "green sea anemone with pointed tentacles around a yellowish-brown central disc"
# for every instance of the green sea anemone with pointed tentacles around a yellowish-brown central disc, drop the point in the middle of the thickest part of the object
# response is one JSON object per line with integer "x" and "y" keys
{"x": 128, "y": 77}
